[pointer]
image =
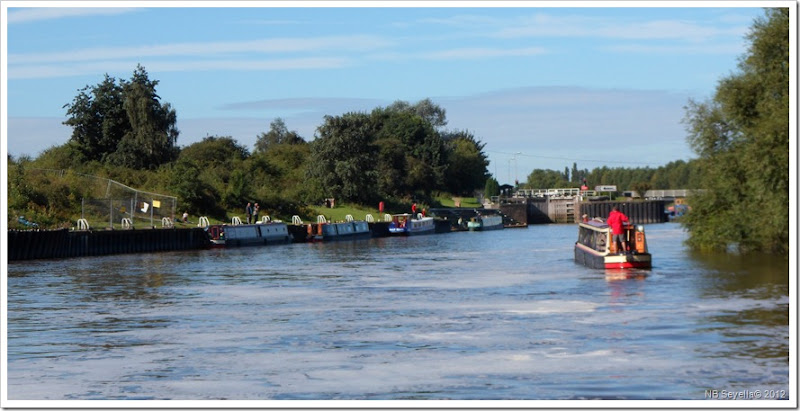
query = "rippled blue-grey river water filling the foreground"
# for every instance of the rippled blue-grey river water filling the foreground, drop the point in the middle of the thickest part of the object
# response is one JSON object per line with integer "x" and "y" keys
{"x": 463, "y": 316}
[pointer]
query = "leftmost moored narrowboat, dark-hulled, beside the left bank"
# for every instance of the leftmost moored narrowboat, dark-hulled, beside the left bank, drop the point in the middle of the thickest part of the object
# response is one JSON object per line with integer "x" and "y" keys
{"x": 225, "y": 235}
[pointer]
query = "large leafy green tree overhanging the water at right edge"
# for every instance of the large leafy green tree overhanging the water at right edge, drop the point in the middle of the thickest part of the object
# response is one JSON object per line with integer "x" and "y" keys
{"x": 742, "y": 138}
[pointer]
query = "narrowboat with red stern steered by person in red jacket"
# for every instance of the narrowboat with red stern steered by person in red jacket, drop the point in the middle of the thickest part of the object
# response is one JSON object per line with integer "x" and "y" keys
{"x": 596, "y": 249}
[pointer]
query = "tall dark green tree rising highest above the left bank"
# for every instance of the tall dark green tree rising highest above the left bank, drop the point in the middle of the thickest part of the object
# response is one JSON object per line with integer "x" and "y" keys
{"x": 124, "y": 124}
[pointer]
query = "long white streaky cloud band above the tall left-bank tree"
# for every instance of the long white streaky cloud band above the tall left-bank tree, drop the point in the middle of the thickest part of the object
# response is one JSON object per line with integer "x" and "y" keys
{"x": 262, "y": 54}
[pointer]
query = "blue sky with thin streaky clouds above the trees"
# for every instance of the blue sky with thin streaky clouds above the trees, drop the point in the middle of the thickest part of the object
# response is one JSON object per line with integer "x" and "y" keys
{"x": 542, "y": 84}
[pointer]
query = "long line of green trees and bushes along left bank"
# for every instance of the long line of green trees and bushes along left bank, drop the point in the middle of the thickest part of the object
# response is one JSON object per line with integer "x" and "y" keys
{"x": 122, "y": 131}
